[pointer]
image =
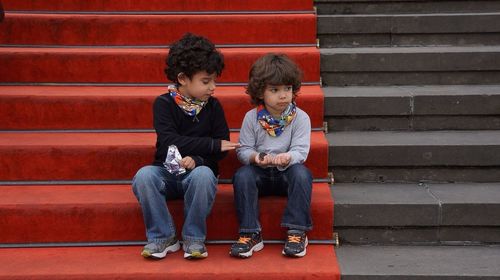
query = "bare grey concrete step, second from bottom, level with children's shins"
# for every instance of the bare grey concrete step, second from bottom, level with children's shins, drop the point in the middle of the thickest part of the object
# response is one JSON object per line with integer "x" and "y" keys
{"x": 461, "y": 213}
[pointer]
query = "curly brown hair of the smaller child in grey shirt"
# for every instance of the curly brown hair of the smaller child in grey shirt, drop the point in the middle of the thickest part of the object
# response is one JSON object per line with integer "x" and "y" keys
{"x": 272, "y": 69}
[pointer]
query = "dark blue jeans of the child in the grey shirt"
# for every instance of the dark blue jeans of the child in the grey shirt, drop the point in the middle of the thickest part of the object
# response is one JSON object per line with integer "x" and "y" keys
{"x": 251, "y": 181}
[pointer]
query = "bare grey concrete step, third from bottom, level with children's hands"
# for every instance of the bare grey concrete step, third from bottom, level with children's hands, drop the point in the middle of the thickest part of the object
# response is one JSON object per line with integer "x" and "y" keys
{"x": 408, "y": 156}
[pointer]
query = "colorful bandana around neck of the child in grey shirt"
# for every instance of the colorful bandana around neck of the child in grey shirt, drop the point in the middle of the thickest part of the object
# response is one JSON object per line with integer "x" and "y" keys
{"x": 275, "y": 127}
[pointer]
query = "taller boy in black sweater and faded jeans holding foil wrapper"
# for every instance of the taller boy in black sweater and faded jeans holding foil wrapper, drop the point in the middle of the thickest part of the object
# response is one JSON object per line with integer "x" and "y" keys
{"x": 188, "y": 117}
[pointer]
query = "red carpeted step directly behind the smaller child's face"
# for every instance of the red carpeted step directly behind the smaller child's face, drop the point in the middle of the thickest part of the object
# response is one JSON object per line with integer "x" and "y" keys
{"x": 73, "y": 107}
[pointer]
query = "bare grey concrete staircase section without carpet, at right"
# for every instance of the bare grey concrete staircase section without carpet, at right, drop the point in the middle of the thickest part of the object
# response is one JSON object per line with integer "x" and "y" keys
{"x": 412, "y": 101}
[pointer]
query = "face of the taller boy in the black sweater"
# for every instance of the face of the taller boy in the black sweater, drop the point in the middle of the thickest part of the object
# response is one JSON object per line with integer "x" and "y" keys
{"x": 201, "y": 86}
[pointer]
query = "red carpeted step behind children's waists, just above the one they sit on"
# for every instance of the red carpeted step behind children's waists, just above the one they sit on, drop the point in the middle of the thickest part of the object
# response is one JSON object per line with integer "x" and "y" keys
{"x": 105, "y": 156}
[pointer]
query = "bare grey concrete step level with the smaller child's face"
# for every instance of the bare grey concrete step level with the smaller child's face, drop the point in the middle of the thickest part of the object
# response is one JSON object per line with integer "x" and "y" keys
{"x": 439, "y": 107}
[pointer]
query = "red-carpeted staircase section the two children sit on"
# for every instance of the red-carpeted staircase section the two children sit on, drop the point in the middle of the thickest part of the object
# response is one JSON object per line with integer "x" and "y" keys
{"x": 77, "y": 82}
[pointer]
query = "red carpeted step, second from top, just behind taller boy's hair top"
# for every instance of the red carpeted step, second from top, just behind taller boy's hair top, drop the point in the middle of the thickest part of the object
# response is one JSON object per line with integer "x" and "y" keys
{"x": 119, "y": 30}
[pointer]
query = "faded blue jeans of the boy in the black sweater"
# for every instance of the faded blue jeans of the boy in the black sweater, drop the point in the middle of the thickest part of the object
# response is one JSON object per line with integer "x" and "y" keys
{"x": 154, "y": 186}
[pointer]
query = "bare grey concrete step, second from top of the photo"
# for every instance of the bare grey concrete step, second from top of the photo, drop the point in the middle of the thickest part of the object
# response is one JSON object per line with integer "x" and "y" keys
{"x": 457, "y": 29}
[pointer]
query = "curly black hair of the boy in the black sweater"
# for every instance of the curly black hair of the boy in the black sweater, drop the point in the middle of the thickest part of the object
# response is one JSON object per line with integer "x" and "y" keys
{"x": 192, "y": 54}
